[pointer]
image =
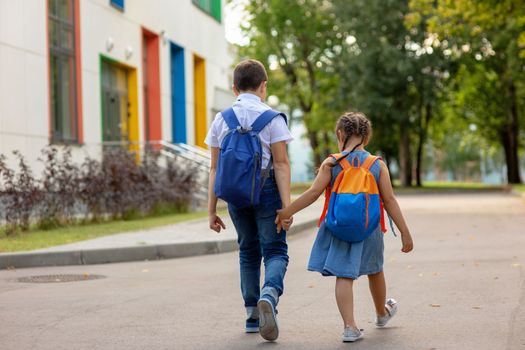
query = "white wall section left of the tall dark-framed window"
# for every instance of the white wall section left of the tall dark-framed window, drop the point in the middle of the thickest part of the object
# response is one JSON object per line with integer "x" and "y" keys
{"x": 24, "y": 100}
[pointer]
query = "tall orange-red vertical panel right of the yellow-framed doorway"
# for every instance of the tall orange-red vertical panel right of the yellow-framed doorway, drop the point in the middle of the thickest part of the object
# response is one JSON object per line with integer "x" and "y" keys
{"x": 153, "y": 130}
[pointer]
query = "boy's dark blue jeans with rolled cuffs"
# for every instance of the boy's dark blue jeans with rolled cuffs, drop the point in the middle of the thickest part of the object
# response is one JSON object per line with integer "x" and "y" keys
{"x": 258, "y": 238}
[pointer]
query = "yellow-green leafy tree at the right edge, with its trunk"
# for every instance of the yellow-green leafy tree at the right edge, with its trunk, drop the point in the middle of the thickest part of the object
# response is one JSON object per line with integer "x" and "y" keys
{"x": 486, "y": 37}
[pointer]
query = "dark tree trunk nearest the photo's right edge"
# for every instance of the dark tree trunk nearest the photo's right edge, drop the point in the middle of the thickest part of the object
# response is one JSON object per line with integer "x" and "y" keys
{"x": 510, "y": 139}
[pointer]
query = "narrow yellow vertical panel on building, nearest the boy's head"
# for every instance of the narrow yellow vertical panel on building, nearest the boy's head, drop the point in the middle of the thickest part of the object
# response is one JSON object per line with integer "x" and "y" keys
{"x": 199, "y": 85}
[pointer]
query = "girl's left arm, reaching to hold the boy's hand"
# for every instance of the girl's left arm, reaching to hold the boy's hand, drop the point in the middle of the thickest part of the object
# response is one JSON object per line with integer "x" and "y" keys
{"x": 311, "y": 195}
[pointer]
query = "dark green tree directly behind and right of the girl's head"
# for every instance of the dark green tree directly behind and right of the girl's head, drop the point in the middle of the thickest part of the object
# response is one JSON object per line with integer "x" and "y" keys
{"x": 392, "y": 70}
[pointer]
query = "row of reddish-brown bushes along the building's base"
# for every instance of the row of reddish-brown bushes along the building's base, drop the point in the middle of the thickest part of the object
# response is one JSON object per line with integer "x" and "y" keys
{"x": 117, "y": 187}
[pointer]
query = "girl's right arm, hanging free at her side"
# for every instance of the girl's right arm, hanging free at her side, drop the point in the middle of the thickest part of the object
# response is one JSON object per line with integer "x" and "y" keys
{"x": 392, "y": 208}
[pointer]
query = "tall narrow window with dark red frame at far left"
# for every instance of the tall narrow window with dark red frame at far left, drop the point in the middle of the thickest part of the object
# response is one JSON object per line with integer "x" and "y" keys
{"x": 63, "y": 68}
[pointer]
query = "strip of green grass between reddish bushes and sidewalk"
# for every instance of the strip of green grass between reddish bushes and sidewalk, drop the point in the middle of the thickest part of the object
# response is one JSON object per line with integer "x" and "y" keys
{"x": 37, "y": 239}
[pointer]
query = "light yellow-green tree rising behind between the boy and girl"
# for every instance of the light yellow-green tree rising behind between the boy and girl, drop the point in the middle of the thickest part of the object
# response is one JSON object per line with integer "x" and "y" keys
{"x": 299, "y": 41}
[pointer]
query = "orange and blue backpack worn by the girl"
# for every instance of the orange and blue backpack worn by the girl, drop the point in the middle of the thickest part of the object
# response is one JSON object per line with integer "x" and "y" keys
{"x": 353, "y": 207}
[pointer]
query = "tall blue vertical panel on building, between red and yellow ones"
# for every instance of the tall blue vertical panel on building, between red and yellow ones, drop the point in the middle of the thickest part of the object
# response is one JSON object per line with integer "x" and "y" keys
{"x": 178, "y": 94}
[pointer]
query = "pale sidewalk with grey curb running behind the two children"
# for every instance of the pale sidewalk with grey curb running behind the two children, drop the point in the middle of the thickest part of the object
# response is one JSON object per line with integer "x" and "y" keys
{"x": 173, "y": 241}
